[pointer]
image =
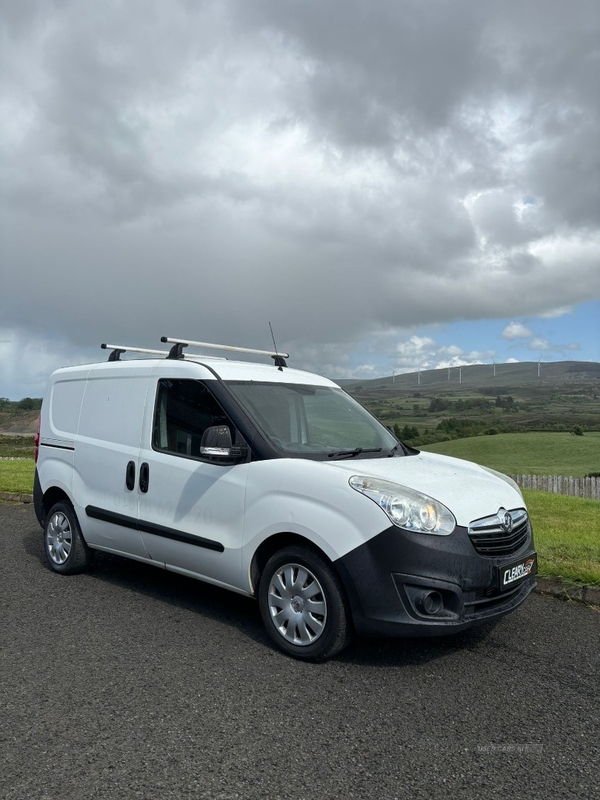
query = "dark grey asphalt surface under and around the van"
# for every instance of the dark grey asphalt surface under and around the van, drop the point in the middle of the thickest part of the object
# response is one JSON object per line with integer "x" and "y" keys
{"x": 129, "y": 682}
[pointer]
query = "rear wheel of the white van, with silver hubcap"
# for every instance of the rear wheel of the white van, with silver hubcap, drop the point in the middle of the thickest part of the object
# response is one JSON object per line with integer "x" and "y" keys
{"x": 65, "y": 548}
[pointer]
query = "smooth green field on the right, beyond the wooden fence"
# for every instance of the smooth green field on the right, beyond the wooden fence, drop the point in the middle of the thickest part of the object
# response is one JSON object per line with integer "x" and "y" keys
{"x": 528, "y": 453}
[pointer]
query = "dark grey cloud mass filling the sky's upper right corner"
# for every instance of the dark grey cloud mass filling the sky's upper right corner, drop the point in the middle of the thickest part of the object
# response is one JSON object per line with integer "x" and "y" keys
{"x": 388, "y": 74}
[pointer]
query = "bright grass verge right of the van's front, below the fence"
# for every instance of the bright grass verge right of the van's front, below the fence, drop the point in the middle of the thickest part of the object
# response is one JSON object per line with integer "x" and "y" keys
{"x": 567, "y": 536}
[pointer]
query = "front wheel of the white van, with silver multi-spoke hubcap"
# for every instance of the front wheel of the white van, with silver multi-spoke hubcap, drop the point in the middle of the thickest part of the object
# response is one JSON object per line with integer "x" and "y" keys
{"x": 303, "y": 604}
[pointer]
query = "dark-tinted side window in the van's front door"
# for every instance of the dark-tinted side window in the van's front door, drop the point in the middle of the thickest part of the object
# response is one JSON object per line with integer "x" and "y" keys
{"x": 184, "y": 410}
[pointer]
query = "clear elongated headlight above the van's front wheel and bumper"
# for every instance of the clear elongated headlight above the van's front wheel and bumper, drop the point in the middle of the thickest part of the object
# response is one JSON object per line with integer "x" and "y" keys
{"x": 406, "y": 507}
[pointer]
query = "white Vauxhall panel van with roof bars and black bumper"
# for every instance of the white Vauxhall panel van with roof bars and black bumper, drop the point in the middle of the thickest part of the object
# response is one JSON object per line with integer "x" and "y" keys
{"x": 275, "y": 483}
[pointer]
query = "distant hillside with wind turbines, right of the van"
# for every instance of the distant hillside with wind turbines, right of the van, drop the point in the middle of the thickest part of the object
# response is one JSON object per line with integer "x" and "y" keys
{"x": 564, "y": 395}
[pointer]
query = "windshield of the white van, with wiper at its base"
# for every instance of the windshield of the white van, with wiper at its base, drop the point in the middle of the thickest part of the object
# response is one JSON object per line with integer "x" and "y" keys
{"x": 321, "y": 421}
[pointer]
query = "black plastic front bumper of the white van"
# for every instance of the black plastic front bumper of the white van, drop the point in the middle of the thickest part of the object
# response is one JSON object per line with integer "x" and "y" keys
{"x": 409, "y": 584}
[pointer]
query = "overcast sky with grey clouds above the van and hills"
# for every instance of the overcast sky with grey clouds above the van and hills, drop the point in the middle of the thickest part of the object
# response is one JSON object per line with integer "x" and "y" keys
{"x": 394, "y": 184}
